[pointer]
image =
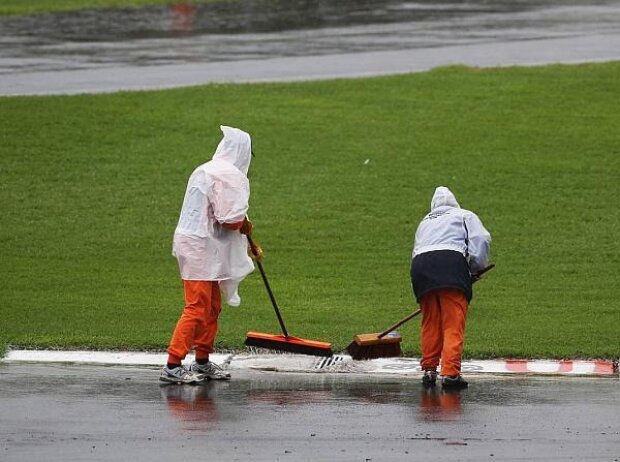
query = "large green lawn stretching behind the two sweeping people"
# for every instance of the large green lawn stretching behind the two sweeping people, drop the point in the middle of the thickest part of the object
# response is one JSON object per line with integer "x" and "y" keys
{"x": 91, "y": 186}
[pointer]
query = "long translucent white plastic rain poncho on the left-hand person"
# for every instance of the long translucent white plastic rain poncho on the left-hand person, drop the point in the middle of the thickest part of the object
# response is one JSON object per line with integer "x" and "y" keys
{"x": 217, "y": 192}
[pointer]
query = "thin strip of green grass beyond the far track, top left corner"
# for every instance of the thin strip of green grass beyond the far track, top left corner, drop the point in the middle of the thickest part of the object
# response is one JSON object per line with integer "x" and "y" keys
{"x": 23, "y": 7}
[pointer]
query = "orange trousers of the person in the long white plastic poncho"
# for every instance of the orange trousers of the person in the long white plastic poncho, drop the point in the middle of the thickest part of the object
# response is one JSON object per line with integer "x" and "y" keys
{"x": 197, "y": 326}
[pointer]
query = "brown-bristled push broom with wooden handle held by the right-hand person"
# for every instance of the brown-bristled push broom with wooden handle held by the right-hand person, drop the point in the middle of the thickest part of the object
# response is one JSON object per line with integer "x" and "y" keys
{"x": 387, "y": 343}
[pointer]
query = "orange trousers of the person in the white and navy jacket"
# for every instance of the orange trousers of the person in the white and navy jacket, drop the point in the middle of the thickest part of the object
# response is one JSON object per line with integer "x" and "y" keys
{"x": 443, "y": 330}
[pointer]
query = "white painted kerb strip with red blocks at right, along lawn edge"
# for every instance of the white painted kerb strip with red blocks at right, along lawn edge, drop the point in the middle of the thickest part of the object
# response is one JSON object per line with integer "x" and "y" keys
{"x": 311, "y": 364}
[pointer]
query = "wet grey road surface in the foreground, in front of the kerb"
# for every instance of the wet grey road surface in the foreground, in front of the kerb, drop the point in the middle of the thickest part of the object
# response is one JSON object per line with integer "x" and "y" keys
{"x": 64, "y": 413}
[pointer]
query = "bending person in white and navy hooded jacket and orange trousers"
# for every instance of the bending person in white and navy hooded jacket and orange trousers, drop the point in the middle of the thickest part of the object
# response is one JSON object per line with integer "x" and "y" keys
{"x": 451, "y": 247}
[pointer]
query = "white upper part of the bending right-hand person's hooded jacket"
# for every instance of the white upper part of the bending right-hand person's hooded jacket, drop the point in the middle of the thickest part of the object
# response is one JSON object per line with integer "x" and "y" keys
{"x": 449, "y": 227}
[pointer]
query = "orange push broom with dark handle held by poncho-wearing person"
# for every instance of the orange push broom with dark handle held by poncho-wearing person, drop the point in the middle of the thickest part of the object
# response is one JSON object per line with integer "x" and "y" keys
{"x": 284, "y": 342}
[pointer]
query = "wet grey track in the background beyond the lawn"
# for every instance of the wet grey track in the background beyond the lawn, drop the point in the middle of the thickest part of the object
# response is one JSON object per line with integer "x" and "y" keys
{"x": 273, "y": 40}
